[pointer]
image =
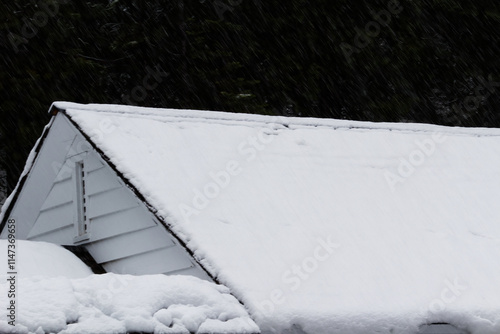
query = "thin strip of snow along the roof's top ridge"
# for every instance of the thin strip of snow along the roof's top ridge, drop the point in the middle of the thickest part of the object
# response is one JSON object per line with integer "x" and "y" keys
{"x": 222, "y": 116}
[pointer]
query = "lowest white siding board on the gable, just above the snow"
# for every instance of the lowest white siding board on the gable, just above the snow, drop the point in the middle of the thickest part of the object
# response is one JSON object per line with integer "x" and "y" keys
{"x": 155, "y": 262}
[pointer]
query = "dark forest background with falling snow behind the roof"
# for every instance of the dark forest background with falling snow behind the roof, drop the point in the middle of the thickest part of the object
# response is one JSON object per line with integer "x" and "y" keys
{"x": 431, "y": 63}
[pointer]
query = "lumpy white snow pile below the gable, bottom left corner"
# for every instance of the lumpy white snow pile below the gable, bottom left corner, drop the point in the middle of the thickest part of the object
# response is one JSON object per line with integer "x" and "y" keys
{"x": 113, "y": 303}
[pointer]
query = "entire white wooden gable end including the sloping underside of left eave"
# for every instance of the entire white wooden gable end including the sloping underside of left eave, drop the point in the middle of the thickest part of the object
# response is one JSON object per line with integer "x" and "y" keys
{"x": 122, "y": 233}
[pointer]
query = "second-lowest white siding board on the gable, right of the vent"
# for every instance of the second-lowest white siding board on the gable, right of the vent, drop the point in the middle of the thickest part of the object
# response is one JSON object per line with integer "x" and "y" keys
{"x": 130, "y": 244}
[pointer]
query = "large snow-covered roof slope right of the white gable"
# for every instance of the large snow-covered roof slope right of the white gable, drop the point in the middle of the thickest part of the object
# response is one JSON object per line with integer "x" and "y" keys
{"x": 322, "y": 223}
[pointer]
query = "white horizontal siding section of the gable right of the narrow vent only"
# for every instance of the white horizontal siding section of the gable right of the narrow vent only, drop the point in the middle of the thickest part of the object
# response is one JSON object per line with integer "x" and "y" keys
{"x": 124, "y": 236}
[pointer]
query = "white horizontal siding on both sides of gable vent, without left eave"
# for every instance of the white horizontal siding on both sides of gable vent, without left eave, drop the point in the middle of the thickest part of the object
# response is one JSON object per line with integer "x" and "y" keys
{"x": 123, "y": 235}
